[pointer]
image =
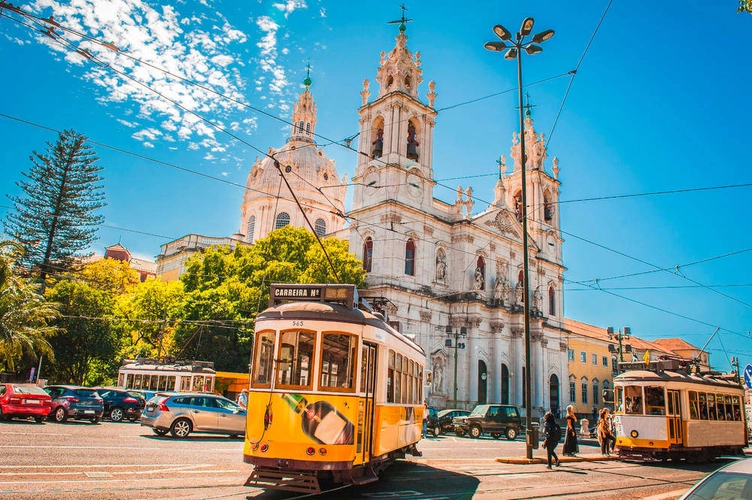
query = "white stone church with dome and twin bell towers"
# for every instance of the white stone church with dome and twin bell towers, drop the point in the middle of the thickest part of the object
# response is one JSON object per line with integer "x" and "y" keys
{"x": 445, "y": 276}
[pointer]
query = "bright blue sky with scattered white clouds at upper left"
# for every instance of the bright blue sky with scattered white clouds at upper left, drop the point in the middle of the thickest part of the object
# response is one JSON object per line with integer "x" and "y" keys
{"x": 659, "y": 103}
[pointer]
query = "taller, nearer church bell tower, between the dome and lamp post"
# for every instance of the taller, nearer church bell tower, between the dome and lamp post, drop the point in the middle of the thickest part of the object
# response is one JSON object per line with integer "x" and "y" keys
{"x": 396, "y": 131}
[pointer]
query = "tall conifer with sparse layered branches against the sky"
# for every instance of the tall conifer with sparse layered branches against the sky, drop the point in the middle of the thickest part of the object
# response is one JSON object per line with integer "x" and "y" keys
{"x": 56, "y": 217}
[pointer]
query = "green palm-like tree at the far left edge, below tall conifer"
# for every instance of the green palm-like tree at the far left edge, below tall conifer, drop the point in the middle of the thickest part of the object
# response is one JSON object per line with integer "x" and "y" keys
{"x": 25, "y": 315}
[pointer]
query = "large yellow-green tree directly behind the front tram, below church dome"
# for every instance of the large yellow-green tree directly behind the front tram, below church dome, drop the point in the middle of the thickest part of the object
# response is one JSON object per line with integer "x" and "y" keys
{"x": 226, "y": 289}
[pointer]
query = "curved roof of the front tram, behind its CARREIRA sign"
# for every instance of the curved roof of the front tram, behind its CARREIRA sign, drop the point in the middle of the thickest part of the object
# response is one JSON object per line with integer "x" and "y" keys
{"x": 325, "y": 311}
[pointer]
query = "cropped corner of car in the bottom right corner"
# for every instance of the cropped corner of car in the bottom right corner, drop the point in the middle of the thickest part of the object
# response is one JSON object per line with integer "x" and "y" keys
{"x": 729, "y": 482}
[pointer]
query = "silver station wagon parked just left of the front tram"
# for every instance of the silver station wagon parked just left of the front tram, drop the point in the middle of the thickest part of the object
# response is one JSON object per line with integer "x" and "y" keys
{"x": 183, "y": 413}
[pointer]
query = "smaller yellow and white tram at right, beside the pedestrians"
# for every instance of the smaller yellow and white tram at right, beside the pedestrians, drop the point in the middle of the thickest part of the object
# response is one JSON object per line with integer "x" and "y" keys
{"x": 663, "y": 412}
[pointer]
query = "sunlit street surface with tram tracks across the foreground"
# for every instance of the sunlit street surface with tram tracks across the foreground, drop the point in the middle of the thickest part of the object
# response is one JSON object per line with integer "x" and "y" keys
{"x": 126, "y": 461}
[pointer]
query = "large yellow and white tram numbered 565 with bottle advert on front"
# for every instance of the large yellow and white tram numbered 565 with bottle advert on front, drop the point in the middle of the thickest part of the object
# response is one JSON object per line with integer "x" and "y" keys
{"x": 335, "y": 392}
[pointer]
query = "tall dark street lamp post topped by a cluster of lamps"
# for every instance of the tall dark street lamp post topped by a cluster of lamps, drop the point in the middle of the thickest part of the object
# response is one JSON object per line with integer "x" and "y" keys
{"x": 514, "y": 51}
